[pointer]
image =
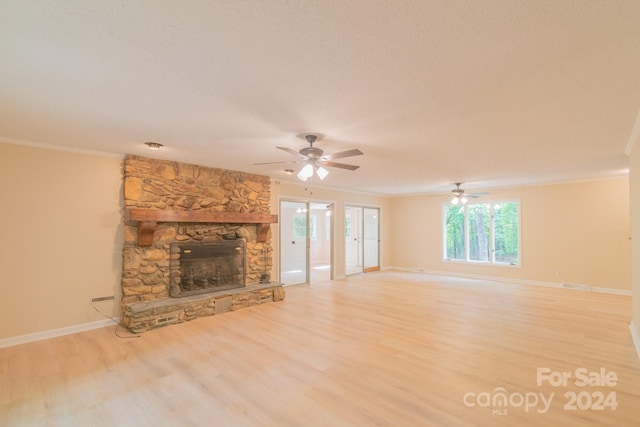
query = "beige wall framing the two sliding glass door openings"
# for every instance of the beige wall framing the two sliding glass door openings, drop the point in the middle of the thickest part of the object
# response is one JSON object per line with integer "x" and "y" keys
{"x": 289, "y": 191}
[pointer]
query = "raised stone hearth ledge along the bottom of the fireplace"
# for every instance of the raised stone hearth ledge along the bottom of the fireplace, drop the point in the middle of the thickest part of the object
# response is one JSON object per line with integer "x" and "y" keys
{"x": 143, "y": 316}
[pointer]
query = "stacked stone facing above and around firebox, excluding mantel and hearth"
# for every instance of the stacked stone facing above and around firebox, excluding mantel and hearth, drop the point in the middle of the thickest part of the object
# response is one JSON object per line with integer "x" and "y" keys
{"x": 161, "y": 184}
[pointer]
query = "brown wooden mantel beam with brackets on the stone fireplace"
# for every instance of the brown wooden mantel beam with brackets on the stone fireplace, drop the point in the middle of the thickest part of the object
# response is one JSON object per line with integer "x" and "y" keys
{"x": 148, "y": 219}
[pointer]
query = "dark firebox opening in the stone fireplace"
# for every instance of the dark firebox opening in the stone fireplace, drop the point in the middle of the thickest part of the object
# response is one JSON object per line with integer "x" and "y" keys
{"x": 210, "y": 267}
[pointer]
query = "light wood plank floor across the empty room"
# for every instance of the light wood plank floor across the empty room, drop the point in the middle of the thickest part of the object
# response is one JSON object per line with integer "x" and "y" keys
{"x": 381, "y": 349}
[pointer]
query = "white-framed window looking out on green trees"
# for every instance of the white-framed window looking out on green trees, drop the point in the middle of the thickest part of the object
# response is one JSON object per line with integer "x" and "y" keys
{"x": 483, "y": 232}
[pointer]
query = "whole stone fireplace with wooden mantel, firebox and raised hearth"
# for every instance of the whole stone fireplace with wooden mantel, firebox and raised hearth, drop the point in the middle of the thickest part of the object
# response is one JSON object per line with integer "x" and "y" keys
{"x": 197, "y": 242}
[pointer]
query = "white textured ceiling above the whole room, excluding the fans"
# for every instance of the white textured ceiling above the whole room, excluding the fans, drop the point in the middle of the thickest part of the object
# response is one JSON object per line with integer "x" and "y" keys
{"x": 490, "y": 93}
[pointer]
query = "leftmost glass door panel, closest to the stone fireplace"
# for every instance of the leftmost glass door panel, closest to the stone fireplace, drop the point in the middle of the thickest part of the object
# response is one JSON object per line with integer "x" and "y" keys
{"x": 294, "y": 266}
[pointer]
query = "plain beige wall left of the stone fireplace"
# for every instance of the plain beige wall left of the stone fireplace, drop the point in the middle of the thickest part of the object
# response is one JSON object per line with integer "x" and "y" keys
{"x": 61, "y": 238}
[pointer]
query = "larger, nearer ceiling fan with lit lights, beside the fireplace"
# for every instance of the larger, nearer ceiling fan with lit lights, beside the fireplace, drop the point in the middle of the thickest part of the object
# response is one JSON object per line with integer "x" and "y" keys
{"x": 315, "y": 160}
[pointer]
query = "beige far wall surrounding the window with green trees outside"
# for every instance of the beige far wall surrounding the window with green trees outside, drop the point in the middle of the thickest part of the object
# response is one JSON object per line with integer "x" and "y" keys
{"x": 581, "y": 229}
